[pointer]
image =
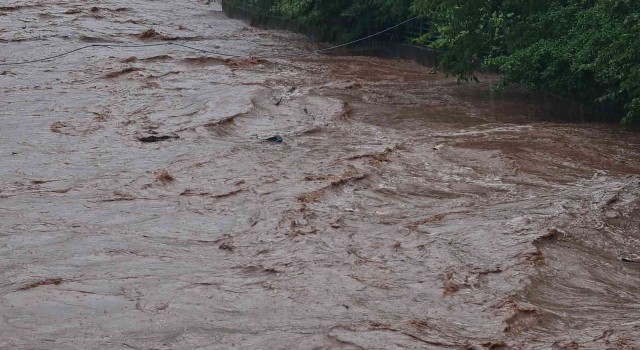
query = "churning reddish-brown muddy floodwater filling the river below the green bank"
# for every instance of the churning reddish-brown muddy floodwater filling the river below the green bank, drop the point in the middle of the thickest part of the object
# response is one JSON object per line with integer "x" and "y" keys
{"x": 140, "y": 210}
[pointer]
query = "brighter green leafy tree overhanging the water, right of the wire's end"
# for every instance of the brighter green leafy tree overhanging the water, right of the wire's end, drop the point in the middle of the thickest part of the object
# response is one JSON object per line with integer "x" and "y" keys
{"x": 586, "y": 49}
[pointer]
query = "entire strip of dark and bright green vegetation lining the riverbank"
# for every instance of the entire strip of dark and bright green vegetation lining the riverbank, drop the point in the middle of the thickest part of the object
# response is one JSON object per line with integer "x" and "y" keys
{"x": 583, "y": 49}
